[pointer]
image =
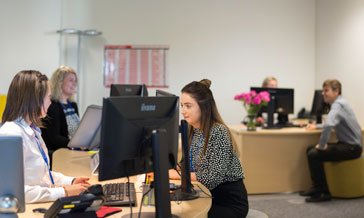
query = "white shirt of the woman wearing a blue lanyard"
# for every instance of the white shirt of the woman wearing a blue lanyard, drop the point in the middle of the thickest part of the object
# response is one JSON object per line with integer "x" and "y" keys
{"x": 38, "y": 186}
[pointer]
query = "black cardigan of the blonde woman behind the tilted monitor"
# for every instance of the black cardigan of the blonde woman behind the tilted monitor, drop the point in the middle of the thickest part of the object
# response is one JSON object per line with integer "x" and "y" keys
{"x": 55, "y": 132}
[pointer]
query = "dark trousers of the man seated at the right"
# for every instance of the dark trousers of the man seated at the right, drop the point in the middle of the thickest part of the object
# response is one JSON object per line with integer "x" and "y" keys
{"x": 334, "y": 152}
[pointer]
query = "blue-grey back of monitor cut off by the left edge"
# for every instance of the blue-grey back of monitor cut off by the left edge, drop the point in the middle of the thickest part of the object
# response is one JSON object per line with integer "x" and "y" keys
{"x": 12, "y": 174}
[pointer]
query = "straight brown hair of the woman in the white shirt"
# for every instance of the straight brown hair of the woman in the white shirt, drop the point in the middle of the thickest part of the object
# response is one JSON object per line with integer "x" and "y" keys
{"x": 25, "y": 97}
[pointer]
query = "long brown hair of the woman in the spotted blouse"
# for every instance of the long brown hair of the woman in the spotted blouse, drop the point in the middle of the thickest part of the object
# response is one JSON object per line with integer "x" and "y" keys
{"x": 200, "y": 91}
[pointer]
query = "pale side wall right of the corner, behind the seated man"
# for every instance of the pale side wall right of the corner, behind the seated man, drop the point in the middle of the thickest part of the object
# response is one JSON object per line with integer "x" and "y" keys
{"x": 340, "y": 48}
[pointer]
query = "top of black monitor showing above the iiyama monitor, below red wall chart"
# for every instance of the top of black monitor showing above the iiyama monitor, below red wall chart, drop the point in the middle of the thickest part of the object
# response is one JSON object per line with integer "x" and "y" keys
{"x": 128, "y": 90}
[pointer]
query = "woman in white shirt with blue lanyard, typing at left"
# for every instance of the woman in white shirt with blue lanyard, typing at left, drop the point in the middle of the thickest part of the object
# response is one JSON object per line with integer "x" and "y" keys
{"x": 27, "y": 102}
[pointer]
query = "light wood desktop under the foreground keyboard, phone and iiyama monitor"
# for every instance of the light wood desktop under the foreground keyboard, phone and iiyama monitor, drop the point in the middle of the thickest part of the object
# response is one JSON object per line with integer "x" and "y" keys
{"x": 77, "y": 163}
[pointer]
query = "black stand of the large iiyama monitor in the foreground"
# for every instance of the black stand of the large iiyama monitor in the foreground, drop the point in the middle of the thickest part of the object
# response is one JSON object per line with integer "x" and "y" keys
{"x": 161, "y": 178}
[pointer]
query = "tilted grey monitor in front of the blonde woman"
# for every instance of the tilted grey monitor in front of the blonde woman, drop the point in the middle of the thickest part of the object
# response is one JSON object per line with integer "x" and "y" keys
{"x": 88, "y": 132}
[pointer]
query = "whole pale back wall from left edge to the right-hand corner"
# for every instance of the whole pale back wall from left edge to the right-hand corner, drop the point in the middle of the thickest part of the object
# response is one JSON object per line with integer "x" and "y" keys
{"x": 234, "y": 43}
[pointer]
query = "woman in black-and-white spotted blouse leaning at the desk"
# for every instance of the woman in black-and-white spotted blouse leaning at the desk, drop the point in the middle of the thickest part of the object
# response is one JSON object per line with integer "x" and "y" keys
{"x": 214, "y": 158}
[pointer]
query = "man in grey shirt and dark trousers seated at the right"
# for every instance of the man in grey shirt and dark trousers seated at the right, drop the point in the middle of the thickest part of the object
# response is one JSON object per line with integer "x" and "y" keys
{"x": 349, "y": 146}
